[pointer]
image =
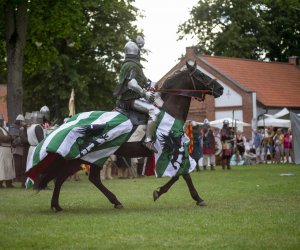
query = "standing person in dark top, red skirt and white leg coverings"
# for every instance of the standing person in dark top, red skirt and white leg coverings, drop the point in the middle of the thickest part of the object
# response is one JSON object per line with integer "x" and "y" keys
{"x": 209, "y": 147}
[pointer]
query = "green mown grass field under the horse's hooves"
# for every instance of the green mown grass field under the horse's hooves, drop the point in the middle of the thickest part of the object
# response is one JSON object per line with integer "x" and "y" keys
{"x": 249, "y": 207}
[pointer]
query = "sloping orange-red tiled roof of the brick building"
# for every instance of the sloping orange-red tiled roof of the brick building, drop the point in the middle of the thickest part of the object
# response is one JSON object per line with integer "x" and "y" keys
{"x": 276, "y": 84}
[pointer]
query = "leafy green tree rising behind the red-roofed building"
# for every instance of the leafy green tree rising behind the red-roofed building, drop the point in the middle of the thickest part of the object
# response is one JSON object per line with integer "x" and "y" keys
{"x": 255, "y": 29}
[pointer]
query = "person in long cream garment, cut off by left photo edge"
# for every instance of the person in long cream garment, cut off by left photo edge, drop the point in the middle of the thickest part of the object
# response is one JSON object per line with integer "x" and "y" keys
{"x": 7, "y": 169}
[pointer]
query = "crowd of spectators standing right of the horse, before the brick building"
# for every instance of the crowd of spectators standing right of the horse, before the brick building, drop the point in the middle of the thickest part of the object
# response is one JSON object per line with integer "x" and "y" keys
{"x": 229, "y": 146}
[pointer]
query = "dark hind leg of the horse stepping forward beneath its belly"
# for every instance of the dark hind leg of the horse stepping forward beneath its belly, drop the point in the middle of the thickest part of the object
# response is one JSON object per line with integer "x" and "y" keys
{"x": 94, "y": 177}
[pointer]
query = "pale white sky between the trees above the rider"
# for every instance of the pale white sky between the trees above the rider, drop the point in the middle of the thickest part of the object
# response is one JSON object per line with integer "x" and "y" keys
{"x": 160, "y": 24}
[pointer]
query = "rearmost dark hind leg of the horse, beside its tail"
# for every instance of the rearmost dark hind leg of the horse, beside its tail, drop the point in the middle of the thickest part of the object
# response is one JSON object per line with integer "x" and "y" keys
{"x": 64, "y": 172}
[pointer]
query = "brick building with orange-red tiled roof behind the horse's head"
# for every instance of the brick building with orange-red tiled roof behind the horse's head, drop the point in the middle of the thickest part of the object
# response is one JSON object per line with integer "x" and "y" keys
{"x": 251, "y": 88}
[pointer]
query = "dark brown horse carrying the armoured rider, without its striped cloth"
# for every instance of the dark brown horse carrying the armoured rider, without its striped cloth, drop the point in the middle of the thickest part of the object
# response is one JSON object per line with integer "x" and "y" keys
{"x": 177, "y": 92}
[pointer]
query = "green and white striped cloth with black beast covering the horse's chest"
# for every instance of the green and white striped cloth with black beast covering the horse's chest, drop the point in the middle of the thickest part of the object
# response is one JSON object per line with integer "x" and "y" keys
{"x": 172, "y": 143}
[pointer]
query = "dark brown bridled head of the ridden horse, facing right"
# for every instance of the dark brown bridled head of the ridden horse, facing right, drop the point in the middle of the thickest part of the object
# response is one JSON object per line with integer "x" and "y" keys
{"x": 203, "y": 82}
